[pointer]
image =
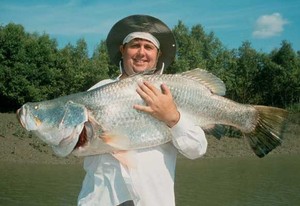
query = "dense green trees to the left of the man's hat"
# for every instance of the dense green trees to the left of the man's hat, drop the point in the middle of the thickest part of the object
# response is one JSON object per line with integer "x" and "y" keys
{"x": 32, "y": 68}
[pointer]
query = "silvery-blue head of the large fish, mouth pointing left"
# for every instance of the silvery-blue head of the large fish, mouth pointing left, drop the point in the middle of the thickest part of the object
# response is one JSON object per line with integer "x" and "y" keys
{"x": 57, "y": 123}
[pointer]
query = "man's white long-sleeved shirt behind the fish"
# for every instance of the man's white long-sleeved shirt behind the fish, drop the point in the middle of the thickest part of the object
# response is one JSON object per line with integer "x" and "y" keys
{"x": 151, "y": 181}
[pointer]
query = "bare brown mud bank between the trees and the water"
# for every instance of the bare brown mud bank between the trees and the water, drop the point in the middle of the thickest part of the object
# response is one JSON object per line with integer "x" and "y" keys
{"x": 19, "y": 146}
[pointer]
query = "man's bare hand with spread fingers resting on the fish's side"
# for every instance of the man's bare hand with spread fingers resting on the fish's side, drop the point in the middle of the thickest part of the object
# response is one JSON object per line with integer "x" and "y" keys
{"x": 159, "y": 104}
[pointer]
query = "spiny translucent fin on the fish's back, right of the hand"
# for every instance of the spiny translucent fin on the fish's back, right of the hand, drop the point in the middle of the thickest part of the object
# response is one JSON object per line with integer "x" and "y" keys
{"x": 213, "y": 83}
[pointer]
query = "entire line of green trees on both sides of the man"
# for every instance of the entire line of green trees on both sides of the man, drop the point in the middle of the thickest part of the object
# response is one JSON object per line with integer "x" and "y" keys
{"x": 33, "y": 68}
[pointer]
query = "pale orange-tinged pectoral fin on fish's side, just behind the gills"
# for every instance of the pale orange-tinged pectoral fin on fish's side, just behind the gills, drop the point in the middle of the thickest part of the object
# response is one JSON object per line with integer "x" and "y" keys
{"x": 115, "y": 140}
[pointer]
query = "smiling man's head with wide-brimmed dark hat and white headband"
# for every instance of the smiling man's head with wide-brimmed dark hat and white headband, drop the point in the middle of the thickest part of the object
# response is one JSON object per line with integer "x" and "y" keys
{"x": 141, "y": 42}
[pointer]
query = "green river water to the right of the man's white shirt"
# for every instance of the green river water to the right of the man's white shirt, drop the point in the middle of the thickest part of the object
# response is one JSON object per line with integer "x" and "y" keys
{"x": 273, "y": 180}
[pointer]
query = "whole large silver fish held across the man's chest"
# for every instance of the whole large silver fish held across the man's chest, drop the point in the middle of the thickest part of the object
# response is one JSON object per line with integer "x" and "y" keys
{"x": 103, "y": 120}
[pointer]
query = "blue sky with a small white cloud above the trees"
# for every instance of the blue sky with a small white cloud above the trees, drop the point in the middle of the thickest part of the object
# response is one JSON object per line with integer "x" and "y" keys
{"x": 264, "y": 23}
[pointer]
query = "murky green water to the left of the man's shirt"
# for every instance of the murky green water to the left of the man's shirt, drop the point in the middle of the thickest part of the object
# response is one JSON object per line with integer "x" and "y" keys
{"x": 37, "y": 185}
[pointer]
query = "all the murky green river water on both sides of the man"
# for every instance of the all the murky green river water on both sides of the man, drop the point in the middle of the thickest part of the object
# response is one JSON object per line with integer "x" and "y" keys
{"x": 273, "y": 180}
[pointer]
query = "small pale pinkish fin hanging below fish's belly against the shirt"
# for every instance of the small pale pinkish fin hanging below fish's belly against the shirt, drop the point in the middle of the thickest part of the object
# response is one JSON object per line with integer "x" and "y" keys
{"x": 126, "y": 158}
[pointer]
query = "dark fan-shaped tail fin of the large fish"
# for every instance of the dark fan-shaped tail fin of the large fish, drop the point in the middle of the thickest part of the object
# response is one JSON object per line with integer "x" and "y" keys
{"x": 269, "y": 130}
